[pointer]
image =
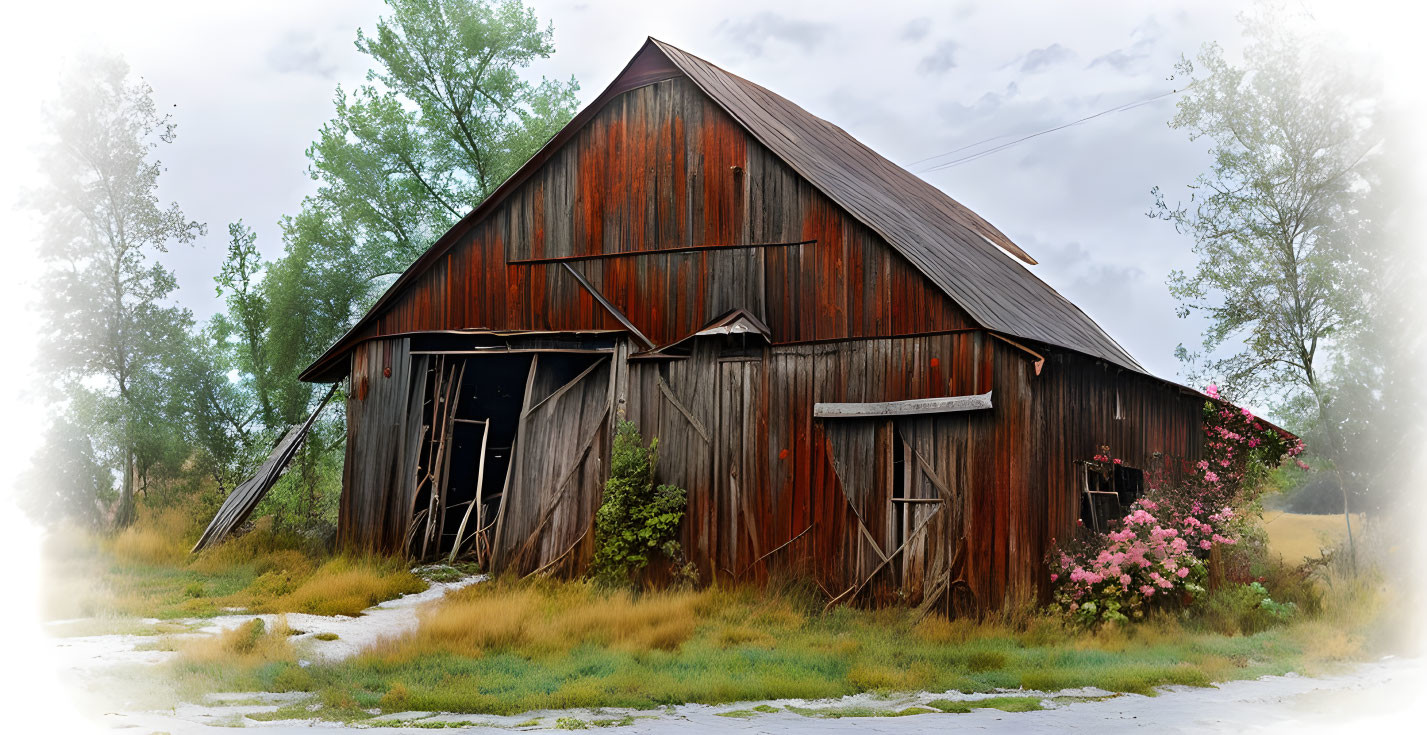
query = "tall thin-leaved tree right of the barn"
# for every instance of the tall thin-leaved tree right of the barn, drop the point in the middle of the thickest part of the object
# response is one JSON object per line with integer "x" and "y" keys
{"x": 1279, "y": 218}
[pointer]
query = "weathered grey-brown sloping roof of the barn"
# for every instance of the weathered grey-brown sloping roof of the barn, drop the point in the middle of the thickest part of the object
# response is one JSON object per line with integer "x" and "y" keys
{"x": 960, "y": 252}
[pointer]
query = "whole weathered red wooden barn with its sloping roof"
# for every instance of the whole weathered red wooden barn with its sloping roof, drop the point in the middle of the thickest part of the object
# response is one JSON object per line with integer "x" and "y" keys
{"x": 850, "y": 373}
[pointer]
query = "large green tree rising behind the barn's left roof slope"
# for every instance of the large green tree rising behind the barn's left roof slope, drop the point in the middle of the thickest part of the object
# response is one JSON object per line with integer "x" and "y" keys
{"x": 446, "y": 115}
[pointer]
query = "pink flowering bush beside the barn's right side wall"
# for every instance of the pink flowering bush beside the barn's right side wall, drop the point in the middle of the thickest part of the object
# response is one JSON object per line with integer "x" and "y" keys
{"x": 1157, "y": 554}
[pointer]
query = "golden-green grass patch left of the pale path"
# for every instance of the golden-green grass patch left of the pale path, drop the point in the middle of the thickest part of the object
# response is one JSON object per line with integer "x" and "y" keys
{"x": 146, "y": 572}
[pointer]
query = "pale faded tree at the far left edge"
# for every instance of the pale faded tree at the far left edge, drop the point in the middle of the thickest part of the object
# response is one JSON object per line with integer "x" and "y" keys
{"x": 106, "y": 300}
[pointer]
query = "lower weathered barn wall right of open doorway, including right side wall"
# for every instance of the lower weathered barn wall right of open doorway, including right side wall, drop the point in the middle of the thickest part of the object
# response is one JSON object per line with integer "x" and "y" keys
{"x": 977, "y": 503}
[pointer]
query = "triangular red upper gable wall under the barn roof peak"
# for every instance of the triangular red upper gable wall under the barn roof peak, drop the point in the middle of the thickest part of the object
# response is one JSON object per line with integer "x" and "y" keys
{"x": 663, "y": 168}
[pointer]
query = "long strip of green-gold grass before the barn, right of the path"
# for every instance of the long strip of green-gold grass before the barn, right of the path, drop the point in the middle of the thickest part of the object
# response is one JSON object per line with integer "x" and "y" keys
{"x": 510, "y": 647}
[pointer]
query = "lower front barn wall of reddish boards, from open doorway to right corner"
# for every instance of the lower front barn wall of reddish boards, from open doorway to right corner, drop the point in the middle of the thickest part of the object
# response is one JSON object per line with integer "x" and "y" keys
{"x": 763, "y": 476}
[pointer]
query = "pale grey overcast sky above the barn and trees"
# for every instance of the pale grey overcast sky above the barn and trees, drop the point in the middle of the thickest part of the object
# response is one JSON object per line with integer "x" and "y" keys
{"x": 250, "y": 83}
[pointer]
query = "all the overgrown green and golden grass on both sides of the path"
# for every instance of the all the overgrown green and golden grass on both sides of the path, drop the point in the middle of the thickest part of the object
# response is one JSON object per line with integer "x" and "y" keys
{"x": 510, "y": 647}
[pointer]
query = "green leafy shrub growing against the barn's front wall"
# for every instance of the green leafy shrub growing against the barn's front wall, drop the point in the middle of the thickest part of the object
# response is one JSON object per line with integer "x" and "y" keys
{"x": 636, "y": 520}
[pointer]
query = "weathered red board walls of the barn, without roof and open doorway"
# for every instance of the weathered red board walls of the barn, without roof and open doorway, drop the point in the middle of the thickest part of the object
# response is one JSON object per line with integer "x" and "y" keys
{"x": 850, "y": 320}
